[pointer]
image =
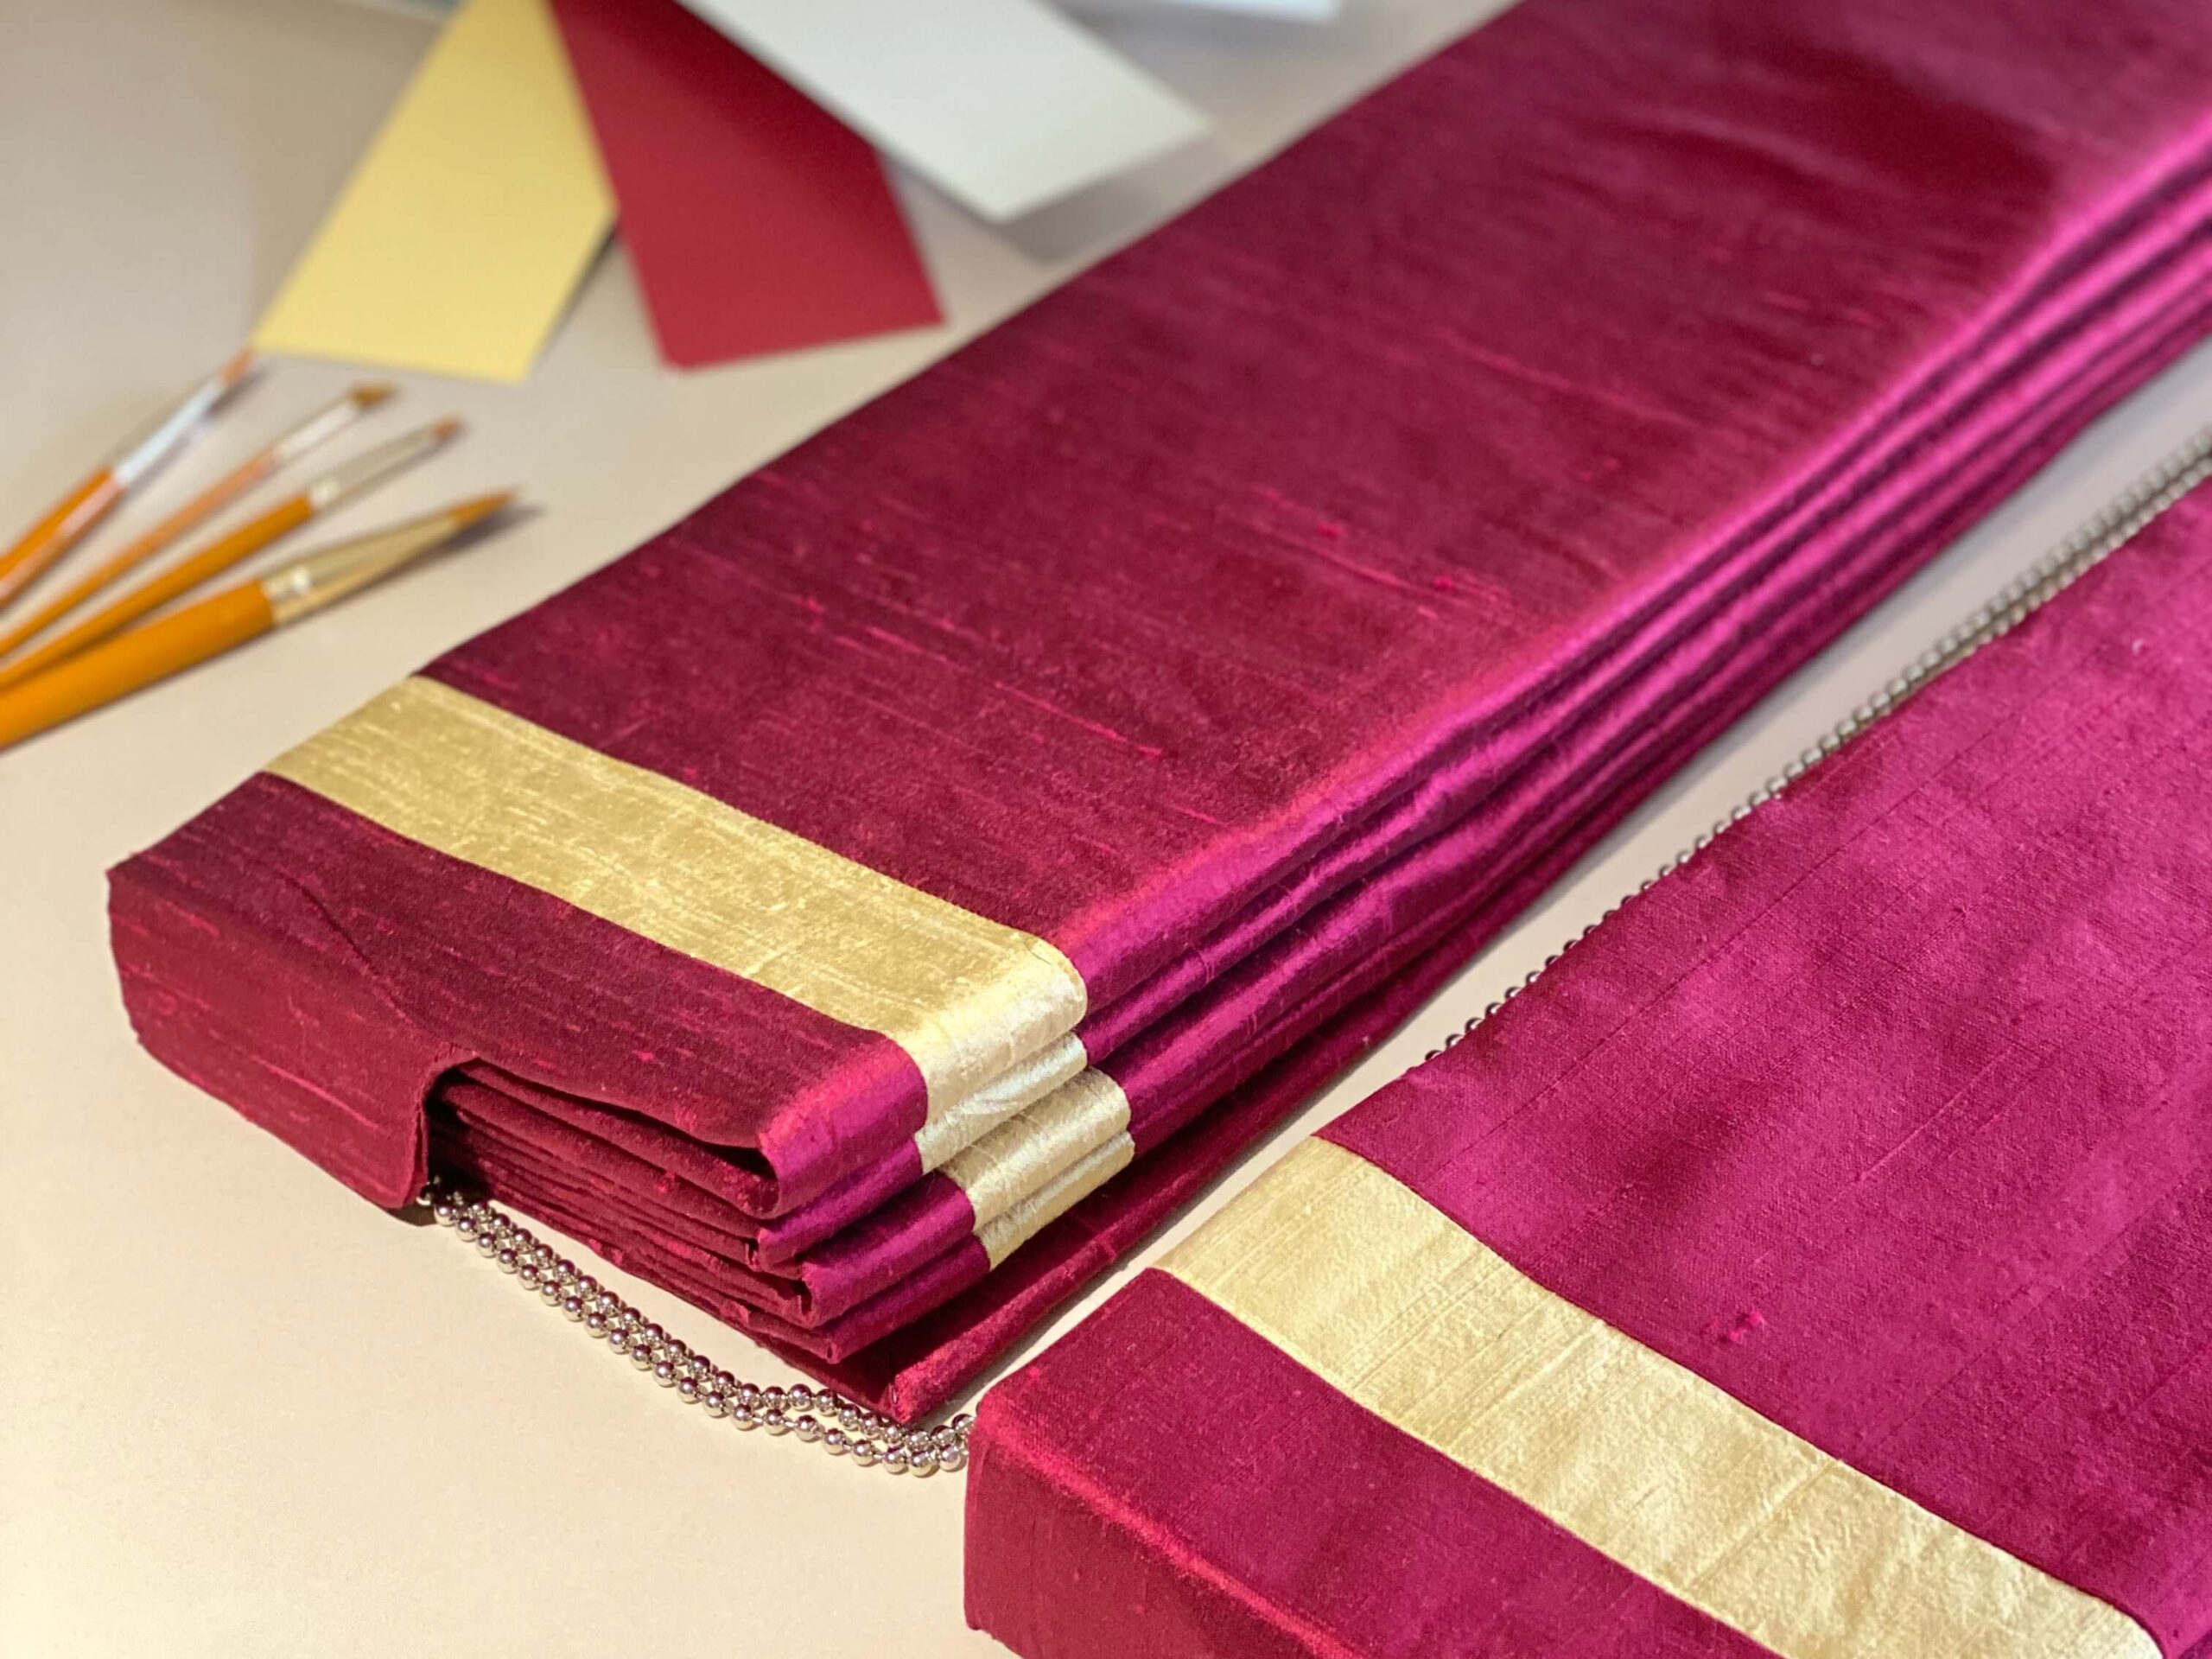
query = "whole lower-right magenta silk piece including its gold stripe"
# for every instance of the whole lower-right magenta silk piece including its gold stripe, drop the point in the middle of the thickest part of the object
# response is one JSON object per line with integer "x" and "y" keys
{"x": 1815, "y": 1262}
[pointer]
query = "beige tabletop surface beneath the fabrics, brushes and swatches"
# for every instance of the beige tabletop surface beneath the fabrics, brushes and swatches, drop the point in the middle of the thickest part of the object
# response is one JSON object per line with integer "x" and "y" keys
{"x": 240, "y": 1410}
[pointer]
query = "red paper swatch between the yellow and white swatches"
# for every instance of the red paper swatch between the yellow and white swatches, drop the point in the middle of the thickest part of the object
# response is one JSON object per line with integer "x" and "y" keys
{"x": 755, "y": 220}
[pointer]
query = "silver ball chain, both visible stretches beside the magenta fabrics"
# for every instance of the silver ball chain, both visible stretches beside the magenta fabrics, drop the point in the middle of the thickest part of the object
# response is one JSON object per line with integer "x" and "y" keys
{"x": 848, "y": 1430}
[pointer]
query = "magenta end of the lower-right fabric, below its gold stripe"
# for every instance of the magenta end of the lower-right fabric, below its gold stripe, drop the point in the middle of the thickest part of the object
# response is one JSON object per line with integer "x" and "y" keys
{"x": 1074, "y": 1454}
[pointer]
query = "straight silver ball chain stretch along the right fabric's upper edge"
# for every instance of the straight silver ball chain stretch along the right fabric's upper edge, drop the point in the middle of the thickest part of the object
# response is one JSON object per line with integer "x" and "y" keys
{"x": 2021, "y": 598}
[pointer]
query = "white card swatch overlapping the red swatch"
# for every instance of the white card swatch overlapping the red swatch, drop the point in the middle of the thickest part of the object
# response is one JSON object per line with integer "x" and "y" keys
{"x": 1003, "y": 105}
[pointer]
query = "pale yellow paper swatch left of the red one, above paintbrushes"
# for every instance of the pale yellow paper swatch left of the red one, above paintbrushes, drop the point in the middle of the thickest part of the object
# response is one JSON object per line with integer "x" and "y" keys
{"x": 472, "y": 218}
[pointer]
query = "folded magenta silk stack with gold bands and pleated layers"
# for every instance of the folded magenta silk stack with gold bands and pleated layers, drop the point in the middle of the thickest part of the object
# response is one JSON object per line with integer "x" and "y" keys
{"x": 875, "y": 901}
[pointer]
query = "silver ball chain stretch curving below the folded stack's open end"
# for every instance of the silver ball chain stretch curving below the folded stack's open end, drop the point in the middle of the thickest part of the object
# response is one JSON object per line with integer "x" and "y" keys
{"x": 817, "y": 1417}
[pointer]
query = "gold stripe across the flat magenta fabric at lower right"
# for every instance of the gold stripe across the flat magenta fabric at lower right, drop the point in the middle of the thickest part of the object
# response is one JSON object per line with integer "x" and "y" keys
{"x": 1412, "y": 1317}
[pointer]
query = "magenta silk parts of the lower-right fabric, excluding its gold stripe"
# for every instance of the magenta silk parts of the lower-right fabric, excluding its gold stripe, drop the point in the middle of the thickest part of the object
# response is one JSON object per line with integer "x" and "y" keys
{"x": 1890, "y": 1114}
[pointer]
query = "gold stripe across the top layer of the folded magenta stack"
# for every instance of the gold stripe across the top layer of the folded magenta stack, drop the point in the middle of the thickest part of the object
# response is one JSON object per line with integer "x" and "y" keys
{"x": 966, "y": 997}
